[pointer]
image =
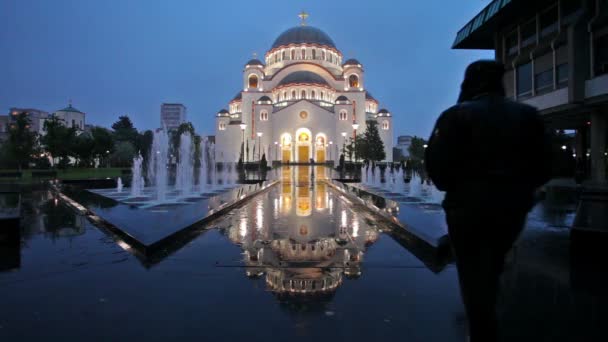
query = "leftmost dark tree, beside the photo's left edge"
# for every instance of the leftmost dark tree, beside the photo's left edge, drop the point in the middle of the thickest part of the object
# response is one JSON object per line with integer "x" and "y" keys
{"x": 21, "y": 143}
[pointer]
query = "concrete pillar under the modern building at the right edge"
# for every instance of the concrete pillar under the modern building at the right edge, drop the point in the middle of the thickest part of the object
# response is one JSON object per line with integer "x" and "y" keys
{"x": 599, "y": 127}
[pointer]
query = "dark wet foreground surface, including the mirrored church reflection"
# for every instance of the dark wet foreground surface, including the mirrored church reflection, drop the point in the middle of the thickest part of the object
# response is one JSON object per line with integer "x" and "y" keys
{"x": 296, "y": 262}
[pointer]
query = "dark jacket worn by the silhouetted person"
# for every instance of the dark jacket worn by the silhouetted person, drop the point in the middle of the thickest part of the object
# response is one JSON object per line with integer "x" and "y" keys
{"x": 489, "y": 151}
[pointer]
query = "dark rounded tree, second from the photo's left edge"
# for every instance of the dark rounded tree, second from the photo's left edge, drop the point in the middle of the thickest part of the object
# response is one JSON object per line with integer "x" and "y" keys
{"x": 58, "y": 140}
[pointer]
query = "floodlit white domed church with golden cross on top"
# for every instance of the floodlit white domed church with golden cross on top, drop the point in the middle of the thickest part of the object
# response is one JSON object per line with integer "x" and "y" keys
{"x": 303, "y": 103}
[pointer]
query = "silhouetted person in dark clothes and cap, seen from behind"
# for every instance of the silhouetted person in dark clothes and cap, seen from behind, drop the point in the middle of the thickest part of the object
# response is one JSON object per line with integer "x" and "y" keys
{"x": 489, "y": 154}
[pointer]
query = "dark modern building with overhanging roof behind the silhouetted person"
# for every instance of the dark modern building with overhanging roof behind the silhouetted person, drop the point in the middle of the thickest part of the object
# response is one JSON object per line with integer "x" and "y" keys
{"x": 556, "y": 55}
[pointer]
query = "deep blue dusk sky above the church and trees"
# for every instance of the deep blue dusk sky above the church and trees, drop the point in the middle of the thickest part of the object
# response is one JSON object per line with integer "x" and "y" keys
{"x": 117, "y": 57}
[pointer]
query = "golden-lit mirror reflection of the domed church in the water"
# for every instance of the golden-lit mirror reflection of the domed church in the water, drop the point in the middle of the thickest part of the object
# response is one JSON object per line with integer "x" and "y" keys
{"x": 304, "y": 240}
